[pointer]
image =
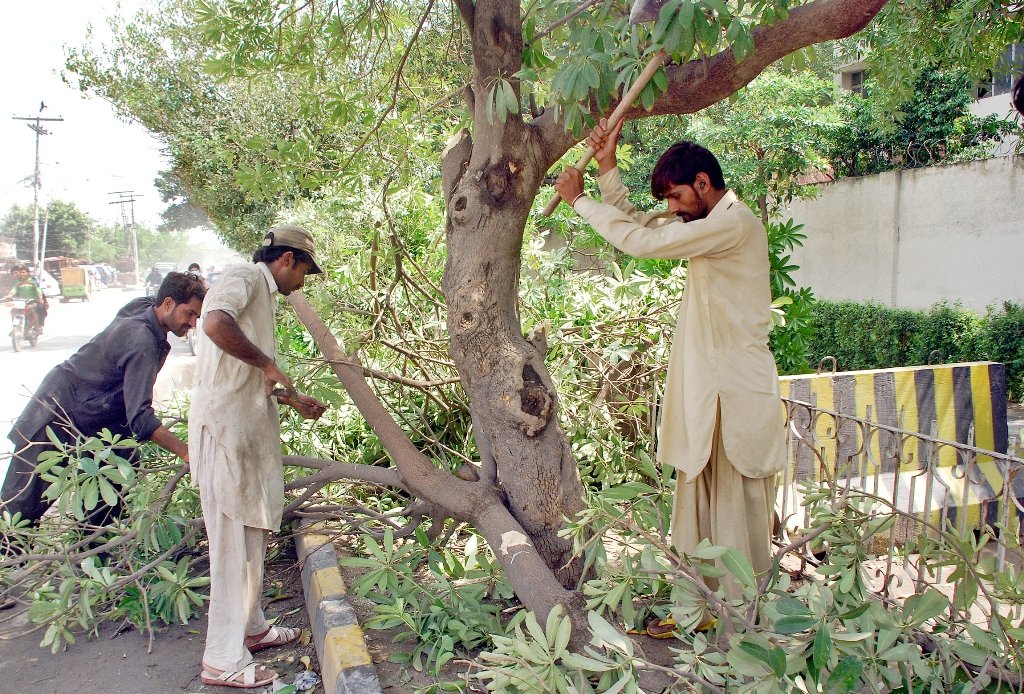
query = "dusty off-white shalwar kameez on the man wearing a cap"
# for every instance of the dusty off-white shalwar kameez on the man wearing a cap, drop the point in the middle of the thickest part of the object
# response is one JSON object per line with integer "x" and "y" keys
{"x": 235, "y": 453}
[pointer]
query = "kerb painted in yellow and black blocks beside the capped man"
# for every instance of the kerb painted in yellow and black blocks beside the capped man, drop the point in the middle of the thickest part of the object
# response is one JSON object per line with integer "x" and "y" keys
{"x": 346, "y": 664}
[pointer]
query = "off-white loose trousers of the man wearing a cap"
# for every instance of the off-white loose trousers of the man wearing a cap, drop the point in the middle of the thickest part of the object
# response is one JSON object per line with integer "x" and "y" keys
{"x": 237, "y": 555}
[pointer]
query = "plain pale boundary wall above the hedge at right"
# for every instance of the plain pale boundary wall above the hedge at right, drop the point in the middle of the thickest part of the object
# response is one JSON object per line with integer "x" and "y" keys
{"x": 914, "y": 238}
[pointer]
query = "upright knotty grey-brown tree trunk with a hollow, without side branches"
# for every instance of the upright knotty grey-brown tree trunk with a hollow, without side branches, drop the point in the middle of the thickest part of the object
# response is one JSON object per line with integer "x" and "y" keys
{"x": 491, "y": 181}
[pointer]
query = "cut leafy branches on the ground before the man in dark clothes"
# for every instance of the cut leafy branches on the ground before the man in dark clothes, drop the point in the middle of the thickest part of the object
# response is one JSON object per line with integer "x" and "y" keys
{"x": 90, "y": 563}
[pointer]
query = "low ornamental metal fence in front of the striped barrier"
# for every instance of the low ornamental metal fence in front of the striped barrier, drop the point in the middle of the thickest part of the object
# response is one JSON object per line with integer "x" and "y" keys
{"x": 935, "y": 484}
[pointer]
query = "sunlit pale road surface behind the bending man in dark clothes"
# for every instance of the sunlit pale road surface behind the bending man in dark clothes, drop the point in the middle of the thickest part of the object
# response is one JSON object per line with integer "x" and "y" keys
{"x": 68, "y": 328}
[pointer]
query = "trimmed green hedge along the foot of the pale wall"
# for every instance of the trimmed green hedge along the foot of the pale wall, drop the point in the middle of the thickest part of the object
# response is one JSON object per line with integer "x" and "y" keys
{"x": 873, "y": 336}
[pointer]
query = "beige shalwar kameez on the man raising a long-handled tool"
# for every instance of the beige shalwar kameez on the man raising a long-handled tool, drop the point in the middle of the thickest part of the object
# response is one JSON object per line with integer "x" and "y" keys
{"x": 722, "y": 426}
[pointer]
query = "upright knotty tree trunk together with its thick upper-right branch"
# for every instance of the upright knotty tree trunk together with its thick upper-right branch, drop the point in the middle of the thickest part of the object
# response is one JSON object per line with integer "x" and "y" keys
{"x": 491, "y": 180}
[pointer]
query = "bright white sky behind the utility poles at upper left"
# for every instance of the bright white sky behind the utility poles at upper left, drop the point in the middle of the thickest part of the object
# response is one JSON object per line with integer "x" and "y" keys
{"x": 92, "y": 153}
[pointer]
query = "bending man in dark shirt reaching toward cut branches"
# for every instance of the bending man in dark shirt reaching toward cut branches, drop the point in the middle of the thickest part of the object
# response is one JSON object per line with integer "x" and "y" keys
{"x": 107, "y": 384}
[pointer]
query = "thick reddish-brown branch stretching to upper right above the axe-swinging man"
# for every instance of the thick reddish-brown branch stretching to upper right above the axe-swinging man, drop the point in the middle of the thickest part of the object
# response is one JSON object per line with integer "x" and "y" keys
{"x": 699, "y": 84}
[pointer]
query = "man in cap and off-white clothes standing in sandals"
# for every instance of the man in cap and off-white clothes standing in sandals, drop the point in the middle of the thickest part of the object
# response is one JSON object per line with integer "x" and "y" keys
{"x": 235, "y": 449}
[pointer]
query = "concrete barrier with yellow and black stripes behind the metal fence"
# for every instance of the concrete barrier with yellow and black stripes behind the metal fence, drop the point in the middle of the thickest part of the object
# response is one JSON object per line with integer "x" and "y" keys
{"x": 963, "y": 404}
